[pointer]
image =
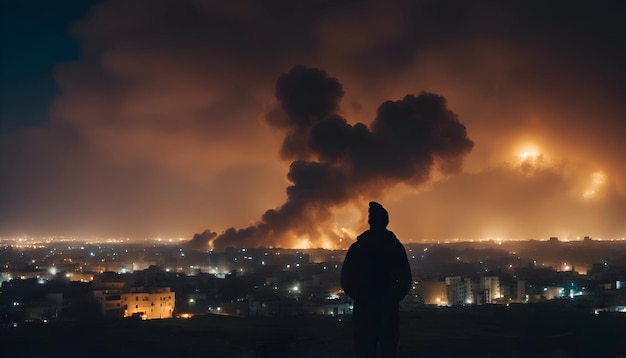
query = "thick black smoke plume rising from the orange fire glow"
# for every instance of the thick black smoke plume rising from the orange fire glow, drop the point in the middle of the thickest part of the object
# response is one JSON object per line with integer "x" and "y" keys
{"x": 335, "y": 162}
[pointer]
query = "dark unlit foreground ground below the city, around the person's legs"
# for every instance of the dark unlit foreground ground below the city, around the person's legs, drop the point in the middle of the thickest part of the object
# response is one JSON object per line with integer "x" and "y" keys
{"x": 525, "y": 331}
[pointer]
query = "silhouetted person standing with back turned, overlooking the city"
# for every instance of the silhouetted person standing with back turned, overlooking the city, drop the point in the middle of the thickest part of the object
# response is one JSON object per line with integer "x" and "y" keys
{"x": 376, "y": 274}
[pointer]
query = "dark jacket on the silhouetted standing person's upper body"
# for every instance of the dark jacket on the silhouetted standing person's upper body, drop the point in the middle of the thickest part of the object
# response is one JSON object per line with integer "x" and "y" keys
{"x": 376, "y": 269}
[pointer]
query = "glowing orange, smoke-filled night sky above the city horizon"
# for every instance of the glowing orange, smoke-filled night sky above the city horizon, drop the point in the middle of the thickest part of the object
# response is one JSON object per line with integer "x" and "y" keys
{"x": 275, "y": 122}
